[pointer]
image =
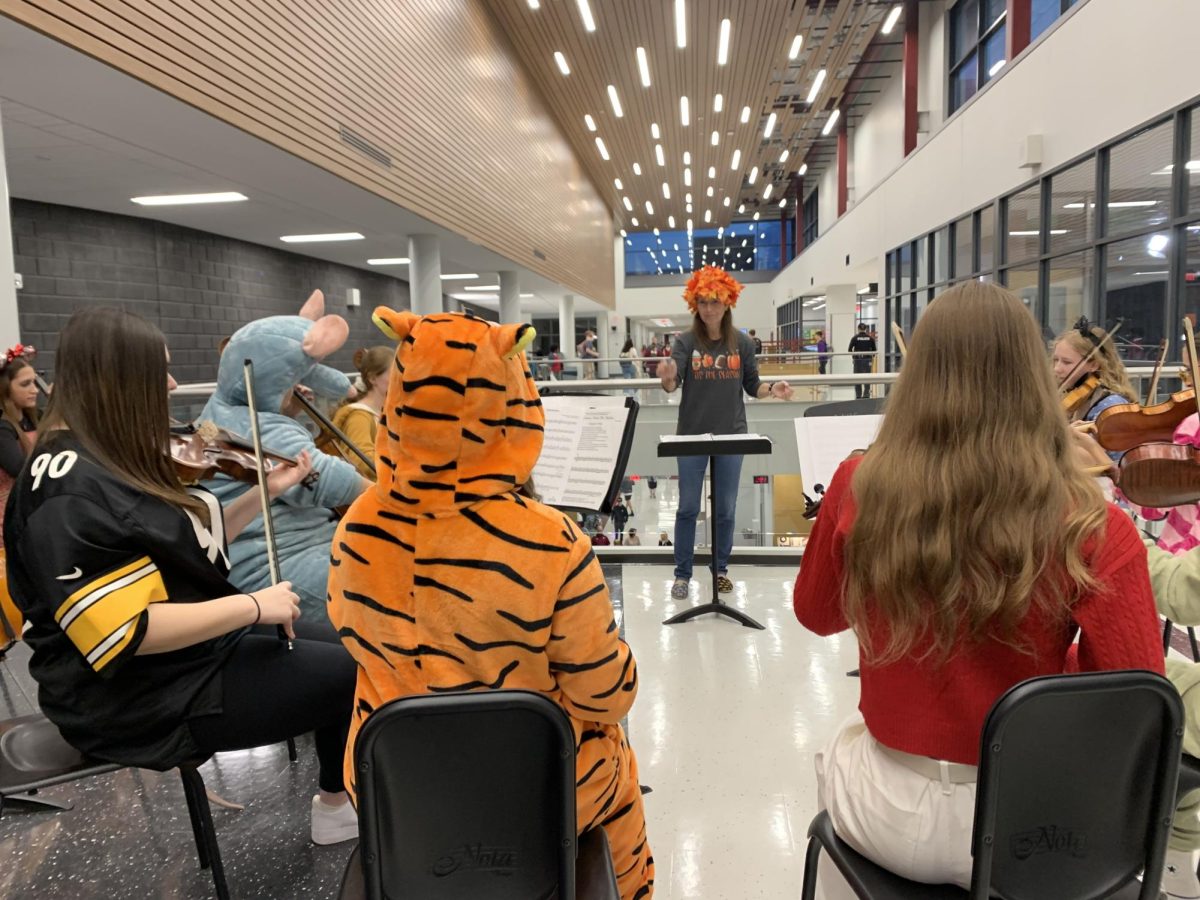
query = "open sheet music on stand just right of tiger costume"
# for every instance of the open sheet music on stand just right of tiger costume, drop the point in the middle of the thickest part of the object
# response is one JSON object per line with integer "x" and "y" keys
{"x": 581, "y": 451}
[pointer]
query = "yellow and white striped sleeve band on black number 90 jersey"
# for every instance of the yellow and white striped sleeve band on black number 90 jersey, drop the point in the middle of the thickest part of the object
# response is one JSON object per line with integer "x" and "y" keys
{"x": 100, "y": 617}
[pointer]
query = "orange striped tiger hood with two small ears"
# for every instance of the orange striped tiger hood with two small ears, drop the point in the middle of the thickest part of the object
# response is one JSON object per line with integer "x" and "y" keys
{"x": 463, "y": 421}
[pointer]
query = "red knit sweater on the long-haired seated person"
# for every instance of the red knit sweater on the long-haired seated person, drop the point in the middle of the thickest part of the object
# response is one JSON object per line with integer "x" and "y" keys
{"x": 938, "y": 710}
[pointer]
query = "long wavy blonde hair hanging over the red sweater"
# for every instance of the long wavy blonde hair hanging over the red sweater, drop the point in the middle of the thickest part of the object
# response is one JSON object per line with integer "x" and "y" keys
{"x": 971, "y": 508}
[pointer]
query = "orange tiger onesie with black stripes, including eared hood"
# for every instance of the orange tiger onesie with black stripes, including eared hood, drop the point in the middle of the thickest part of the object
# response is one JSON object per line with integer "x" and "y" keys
{"x": 446, "y": 579}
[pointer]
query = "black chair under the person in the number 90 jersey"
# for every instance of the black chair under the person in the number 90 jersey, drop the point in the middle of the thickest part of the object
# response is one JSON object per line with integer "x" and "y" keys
{"x": 34, "y": 755}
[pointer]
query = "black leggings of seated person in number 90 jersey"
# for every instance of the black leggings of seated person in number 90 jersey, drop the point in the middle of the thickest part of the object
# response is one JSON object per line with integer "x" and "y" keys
{"x": 271, "y": 694}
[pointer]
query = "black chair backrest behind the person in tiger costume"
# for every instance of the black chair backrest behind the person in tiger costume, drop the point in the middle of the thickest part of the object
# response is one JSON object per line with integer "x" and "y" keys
{"x": 469, "y": 796}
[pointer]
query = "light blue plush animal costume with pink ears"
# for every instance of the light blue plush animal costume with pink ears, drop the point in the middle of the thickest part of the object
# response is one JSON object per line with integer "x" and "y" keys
{"x": 287, "y": 351}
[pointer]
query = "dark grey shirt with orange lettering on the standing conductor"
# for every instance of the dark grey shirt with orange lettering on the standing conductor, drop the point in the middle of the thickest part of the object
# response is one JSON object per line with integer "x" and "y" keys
{"x": 713, "y": 381}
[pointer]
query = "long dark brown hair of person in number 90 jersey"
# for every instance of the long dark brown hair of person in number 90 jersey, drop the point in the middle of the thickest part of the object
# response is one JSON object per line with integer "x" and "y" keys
{"x": 111, "y": 393}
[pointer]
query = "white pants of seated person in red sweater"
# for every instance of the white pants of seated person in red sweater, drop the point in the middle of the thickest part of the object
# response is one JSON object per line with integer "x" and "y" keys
{"x": 910, "y": 825}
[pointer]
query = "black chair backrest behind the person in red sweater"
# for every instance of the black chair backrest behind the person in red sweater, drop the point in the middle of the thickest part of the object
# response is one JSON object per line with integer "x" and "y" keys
{"x": 1077, "y": 787}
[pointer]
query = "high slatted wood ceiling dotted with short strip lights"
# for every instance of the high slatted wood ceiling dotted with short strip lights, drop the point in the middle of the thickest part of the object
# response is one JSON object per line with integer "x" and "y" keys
{"x": 759, "y": 75}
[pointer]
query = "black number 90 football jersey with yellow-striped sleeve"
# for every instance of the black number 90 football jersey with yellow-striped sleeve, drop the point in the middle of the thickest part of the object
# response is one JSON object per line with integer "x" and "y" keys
{"x": 88, "y": 555}
